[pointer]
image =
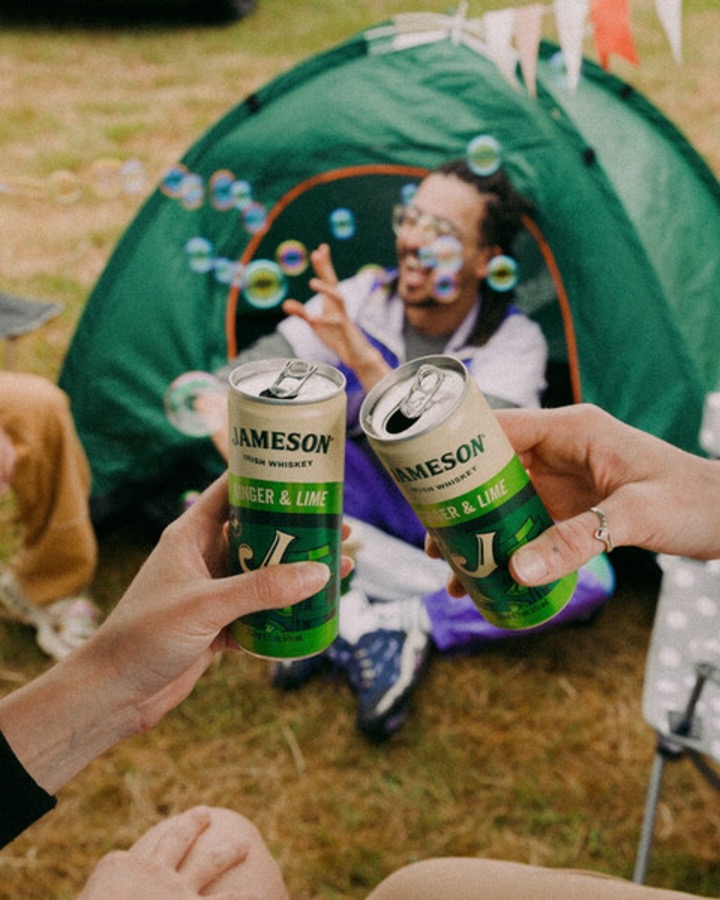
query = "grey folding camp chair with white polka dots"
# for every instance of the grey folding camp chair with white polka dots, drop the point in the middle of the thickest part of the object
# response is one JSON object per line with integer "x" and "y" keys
{"x": 681, "y": 694}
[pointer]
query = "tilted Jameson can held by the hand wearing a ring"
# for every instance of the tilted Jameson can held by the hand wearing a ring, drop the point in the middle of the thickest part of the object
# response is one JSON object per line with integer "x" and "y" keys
{"x": 433, "y": 430}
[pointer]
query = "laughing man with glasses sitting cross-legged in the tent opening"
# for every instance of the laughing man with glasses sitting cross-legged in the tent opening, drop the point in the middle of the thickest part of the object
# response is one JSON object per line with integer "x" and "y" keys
{"x": 452, "y": 293}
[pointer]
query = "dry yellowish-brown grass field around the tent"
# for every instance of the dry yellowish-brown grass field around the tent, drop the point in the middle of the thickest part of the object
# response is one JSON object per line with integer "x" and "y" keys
{"x": 533, "y": 751}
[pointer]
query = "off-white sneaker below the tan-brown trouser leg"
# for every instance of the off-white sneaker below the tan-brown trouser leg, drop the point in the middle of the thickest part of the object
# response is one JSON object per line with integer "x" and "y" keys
{"x": 61, "y": 626}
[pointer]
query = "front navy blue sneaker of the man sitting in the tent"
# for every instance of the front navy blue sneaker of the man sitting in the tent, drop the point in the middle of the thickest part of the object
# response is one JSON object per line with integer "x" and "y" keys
{"x": 384, "y": 668}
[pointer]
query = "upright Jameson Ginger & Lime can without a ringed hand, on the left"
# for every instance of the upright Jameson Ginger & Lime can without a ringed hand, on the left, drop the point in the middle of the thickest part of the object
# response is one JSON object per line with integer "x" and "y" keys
{"x": 287, "y": 458}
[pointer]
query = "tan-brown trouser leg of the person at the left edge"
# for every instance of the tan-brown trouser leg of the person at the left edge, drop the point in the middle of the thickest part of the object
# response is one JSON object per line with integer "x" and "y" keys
{"x": 51, "y": 486}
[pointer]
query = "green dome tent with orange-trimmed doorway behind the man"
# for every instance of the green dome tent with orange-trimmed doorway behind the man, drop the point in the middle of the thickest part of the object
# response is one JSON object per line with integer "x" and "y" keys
{"x": 619, "y": 265}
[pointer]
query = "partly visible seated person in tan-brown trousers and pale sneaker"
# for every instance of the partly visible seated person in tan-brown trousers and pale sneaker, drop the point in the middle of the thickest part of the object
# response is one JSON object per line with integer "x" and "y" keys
{"x": 43, "y": 463}
